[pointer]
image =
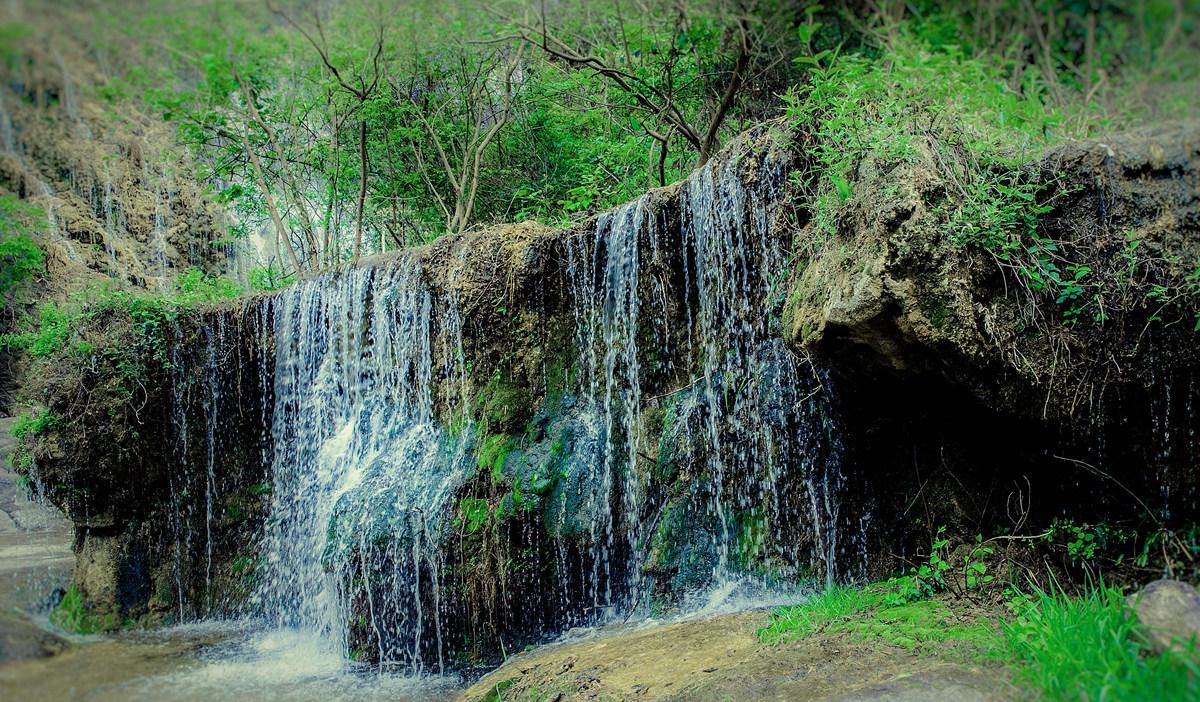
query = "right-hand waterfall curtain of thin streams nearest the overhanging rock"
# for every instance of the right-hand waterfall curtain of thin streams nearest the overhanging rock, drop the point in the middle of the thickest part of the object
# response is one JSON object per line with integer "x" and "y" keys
{"x": 764, "y": 415}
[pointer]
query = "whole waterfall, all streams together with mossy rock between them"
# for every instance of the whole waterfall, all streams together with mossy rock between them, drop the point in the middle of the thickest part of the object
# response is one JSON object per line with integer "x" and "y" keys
{"x": 377, "y": 454}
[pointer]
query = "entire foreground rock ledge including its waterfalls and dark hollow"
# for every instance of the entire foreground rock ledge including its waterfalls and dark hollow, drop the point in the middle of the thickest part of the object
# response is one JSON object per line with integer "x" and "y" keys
{"x": 515, "y": 431}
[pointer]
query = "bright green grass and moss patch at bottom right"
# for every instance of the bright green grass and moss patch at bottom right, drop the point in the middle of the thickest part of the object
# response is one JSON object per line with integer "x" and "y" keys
{"x": 1058, "y": 646}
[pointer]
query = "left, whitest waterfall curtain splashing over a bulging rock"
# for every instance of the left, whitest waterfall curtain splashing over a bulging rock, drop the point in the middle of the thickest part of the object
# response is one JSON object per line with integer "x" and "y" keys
{"x": 358, "y": 460}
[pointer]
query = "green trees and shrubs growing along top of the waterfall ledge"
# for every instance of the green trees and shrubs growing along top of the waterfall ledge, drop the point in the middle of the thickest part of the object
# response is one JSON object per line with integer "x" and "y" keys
{"x": 347, "y": 129}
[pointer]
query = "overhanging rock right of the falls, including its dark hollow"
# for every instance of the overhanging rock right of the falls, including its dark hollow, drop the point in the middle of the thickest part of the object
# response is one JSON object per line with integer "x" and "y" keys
{"x": 991, "y": 403}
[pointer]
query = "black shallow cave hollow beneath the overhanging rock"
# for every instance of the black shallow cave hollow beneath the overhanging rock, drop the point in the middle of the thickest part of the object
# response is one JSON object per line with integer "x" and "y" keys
{"x": 928, "y": 448}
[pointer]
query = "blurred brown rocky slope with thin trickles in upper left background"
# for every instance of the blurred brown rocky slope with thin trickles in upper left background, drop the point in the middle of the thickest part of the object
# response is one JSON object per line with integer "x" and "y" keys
{"x": 122, "y": 203}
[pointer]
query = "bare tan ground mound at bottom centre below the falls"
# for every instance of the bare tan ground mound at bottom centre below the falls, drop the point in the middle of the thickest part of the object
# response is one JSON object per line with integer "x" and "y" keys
{"x": 723, "y": 659}
